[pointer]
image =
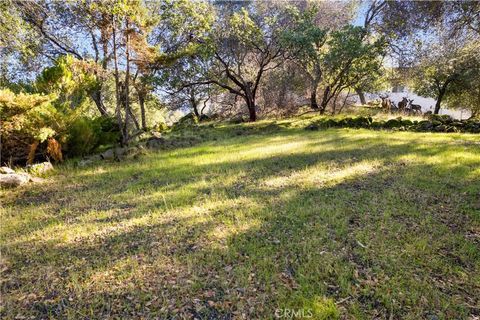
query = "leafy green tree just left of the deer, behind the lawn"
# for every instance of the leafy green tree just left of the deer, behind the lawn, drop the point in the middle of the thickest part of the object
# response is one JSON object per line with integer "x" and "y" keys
{"x": 334, "y": 58}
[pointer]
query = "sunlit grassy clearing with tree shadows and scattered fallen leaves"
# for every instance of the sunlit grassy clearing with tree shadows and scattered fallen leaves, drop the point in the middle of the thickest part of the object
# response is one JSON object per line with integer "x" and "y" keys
{"x": 253, "y": 223}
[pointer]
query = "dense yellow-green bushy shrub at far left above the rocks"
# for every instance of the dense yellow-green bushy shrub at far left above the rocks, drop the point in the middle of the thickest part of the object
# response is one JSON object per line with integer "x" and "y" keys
{"x": 52, "y": 111}
